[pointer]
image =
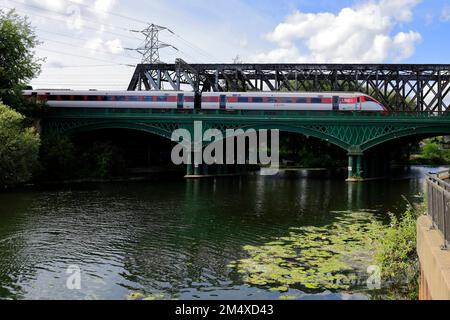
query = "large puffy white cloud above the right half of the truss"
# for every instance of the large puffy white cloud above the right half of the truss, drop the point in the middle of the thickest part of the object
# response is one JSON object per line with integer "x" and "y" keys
{"x": 362, "y": 33}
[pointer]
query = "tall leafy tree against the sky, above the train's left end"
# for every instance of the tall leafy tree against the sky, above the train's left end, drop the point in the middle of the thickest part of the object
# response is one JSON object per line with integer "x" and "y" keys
{"x": 18, "y": 62}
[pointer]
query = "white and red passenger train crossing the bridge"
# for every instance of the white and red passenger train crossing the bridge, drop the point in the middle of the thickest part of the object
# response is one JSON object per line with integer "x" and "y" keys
{"x": 272, "y": 101}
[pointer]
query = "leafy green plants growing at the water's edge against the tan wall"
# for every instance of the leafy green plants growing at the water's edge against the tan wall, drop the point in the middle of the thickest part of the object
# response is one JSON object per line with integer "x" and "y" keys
{"x": 398, "y": 256}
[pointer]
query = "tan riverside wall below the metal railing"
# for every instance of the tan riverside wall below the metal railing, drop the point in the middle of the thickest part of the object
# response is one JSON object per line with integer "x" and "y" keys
{"x": 434, "y": 262}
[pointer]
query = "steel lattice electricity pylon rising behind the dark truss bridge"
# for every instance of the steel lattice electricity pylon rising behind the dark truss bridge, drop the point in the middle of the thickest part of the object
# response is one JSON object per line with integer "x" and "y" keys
{"x": 150, "y": 50}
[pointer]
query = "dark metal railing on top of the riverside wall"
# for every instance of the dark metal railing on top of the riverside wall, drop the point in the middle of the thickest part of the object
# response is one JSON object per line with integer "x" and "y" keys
{"x": 438, "y": 190}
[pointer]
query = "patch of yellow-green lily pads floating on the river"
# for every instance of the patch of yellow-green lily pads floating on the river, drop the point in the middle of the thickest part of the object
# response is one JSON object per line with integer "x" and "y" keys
{"x": 314, "y": 258}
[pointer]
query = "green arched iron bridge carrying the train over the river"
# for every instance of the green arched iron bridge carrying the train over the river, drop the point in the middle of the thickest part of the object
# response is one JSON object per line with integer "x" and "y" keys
{"x": 361, "y": 135}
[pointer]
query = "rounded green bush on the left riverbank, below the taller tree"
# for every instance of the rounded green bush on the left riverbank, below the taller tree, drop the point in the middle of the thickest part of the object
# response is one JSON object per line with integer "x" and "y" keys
{"x": 19, "y": 148}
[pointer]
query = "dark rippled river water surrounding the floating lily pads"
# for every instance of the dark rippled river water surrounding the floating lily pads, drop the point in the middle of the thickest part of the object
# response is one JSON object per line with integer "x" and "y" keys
{"x": 174, "y": 238}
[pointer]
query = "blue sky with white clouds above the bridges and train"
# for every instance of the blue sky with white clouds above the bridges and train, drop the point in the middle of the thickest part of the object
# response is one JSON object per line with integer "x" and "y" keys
{"x": 86, "y": 42}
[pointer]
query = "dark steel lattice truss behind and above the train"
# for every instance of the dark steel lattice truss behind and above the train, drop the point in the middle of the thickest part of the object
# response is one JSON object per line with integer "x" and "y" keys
{"x": 401, "y": 87}
